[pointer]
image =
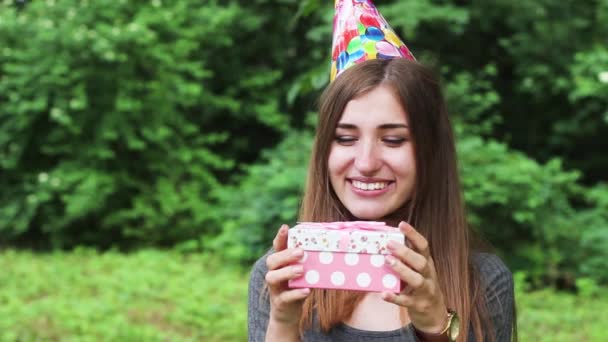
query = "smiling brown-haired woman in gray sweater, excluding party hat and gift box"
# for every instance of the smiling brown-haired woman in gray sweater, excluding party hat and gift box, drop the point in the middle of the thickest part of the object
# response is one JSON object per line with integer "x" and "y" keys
{"x": 384, "y": 151}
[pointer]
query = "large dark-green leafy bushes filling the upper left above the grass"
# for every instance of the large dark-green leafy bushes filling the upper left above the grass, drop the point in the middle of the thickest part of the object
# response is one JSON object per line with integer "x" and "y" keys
{"x": 118, "y": 118}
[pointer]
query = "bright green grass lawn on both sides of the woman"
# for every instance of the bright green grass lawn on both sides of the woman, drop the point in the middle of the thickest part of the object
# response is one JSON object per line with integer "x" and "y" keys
{"x": 165, "y": 296}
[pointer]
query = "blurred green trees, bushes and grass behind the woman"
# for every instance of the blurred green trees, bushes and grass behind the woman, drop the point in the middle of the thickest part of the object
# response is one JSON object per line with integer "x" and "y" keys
{"x": 149, "y": 150}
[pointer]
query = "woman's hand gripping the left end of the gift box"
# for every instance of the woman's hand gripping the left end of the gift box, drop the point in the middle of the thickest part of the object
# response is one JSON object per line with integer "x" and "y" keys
{"x": 285, "y": 303}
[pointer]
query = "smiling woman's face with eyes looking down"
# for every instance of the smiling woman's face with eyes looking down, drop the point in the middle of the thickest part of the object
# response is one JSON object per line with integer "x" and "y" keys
{"x": 371, "y": 161}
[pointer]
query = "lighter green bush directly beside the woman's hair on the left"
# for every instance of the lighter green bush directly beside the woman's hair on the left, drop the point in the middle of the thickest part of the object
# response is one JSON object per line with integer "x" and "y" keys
{"x": 268, "y": 196}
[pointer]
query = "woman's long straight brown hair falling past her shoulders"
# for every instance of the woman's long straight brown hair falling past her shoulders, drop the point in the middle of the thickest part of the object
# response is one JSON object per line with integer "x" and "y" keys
{"x": 436, "y": 208}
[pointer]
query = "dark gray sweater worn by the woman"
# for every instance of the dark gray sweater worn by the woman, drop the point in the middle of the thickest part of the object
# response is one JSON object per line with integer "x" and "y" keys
{"x": 496, "y": 277}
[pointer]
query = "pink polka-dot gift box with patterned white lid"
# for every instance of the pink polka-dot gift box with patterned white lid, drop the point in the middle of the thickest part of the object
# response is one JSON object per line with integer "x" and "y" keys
{"x": 345, "y": 255}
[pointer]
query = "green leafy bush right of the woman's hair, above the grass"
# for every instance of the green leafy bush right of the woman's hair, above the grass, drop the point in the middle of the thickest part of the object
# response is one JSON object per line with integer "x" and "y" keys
{"x": 524, "y": 209}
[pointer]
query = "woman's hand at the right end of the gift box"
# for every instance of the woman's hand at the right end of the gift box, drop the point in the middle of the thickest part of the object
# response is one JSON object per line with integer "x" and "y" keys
{"x": 422, "y": 296}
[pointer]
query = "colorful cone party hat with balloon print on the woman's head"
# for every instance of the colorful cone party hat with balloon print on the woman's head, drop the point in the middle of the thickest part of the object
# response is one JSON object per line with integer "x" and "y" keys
{"x": 361, "y": 33}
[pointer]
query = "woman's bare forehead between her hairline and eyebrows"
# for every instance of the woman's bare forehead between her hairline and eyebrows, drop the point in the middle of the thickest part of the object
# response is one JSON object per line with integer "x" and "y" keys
{"x": 375, "y": 107}
